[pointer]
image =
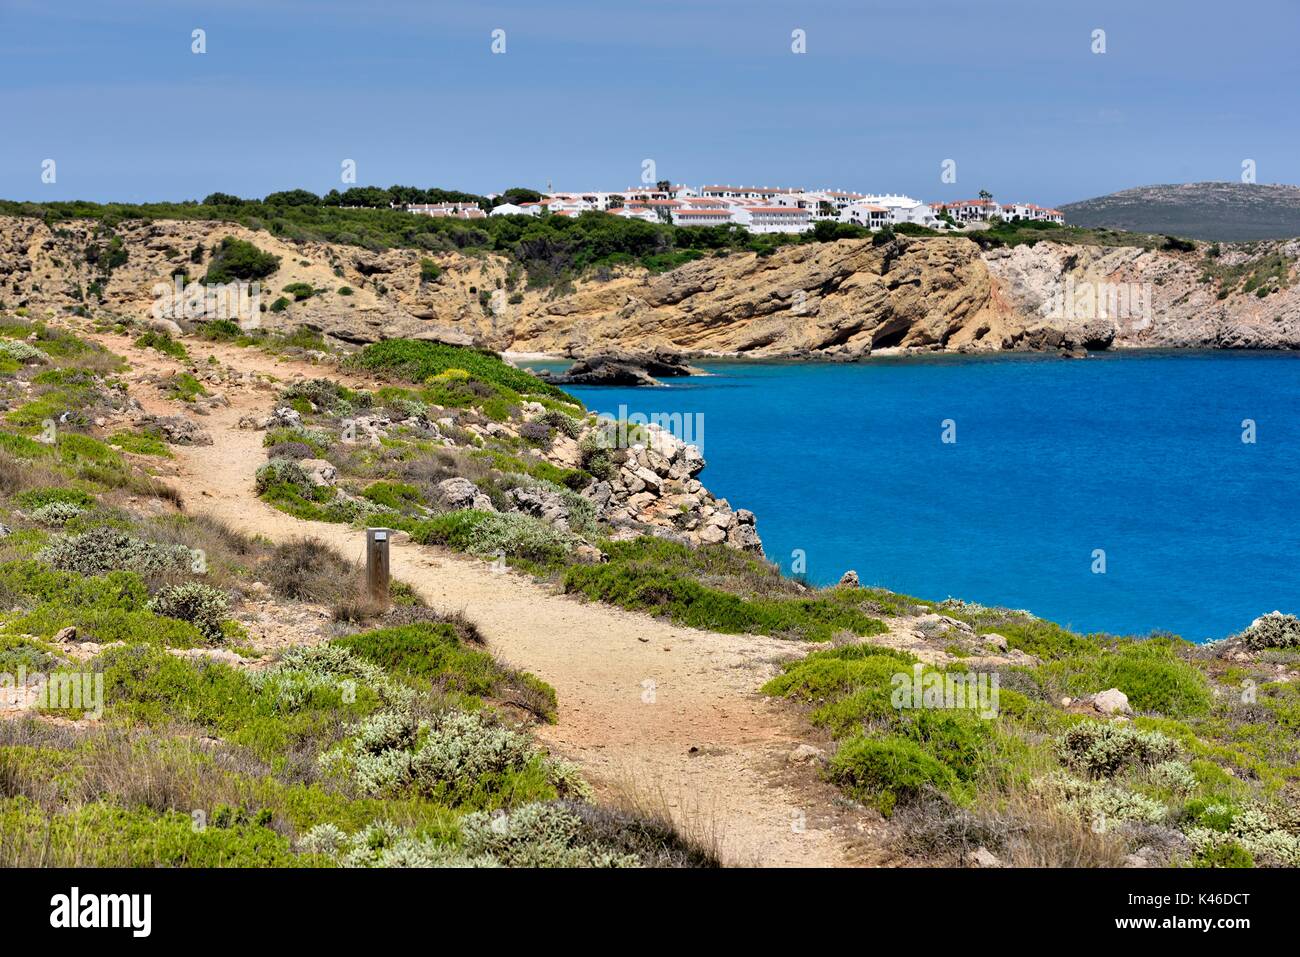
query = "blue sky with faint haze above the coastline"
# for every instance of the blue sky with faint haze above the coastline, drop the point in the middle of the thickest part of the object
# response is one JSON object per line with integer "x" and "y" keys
{"x": 587, "y": 90}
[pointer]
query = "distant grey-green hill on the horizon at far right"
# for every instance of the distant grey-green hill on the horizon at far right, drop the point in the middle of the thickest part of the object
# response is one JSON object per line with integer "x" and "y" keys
{"x": 1220, "y": 211}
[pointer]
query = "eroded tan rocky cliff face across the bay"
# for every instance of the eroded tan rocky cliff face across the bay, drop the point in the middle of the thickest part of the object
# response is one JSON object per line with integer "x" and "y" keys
{"x": 842, "y": 300}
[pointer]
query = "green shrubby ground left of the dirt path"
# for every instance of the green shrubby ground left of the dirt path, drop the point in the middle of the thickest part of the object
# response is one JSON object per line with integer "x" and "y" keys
{"x": 375, "y": 739}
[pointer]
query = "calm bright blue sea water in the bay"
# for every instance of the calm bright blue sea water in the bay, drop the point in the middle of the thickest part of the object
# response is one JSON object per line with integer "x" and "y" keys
{"x": 1141, "y": 456}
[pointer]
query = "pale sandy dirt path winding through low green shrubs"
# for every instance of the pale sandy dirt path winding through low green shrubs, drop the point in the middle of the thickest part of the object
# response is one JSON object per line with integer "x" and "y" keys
{"x": 666, "y": 714}
